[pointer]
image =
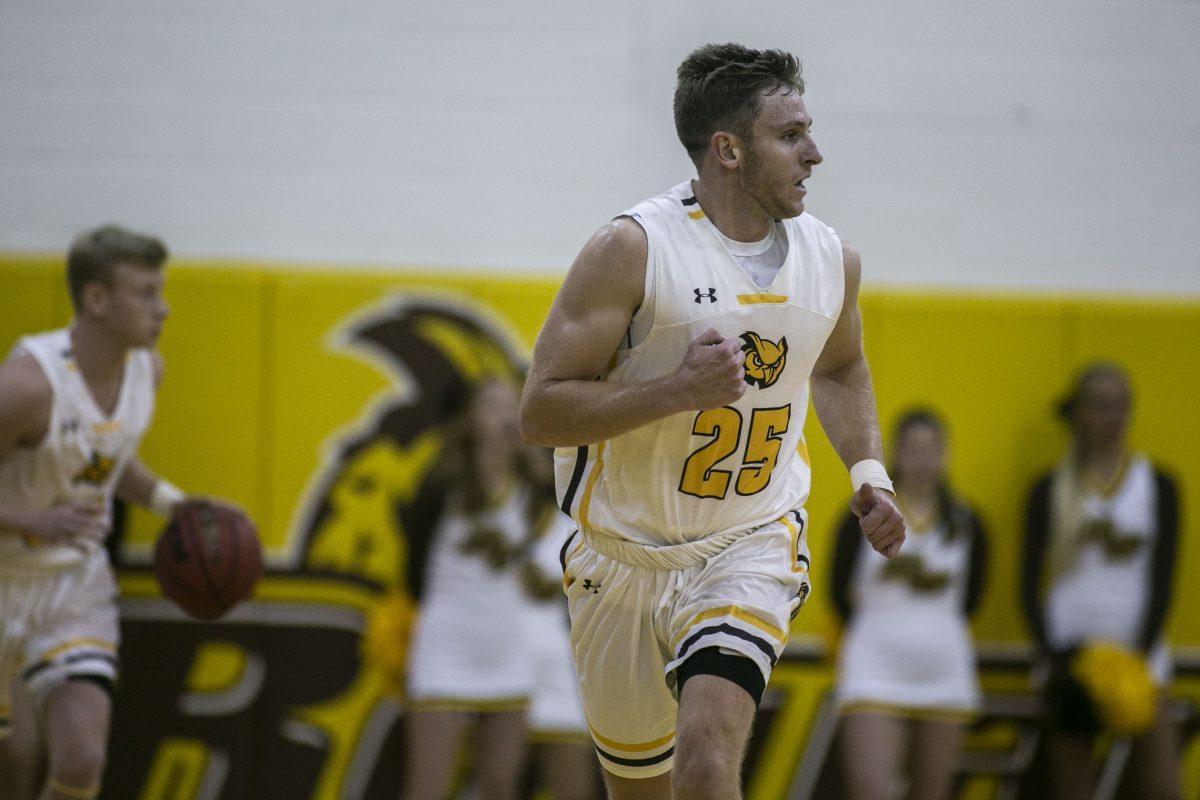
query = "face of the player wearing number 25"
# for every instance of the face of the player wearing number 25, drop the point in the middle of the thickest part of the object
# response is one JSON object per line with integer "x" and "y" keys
{"x": 781, "y": 155}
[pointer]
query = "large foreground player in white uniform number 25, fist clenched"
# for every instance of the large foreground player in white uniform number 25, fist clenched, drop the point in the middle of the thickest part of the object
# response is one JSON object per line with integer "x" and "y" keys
{"x": 674, "y": 376}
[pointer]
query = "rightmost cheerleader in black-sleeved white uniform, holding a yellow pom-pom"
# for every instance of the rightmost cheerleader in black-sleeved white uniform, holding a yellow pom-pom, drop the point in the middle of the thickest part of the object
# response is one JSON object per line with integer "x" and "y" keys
{"x": 1101, "y": 539}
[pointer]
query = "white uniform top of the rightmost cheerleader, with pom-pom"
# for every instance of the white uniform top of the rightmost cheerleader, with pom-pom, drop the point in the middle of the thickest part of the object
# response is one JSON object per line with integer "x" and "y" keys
{"x": 1105, "y": 596}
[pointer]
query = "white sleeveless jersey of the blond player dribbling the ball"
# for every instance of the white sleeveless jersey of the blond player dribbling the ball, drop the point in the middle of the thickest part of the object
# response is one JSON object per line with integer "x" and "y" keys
{"x": 85, "y": 450}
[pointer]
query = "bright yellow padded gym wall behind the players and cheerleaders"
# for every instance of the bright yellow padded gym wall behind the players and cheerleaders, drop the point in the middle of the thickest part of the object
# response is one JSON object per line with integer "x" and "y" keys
{"x": 260, "y": 387}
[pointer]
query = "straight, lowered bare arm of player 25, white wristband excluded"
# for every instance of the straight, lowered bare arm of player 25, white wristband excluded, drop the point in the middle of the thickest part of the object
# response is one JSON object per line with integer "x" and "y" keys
{"x": 845, "y": 404}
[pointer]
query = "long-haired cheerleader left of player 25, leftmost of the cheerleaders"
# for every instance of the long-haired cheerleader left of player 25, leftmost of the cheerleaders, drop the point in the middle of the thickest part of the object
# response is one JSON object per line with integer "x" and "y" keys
{"x": 470, "y": 659}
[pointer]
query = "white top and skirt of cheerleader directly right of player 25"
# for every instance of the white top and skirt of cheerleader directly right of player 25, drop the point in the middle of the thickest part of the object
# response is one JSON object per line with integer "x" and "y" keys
{"x": 909, "y": 643}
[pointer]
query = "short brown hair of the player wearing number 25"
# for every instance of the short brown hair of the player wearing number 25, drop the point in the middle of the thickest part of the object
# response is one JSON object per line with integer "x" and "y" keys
{"x": 719, "y": 87}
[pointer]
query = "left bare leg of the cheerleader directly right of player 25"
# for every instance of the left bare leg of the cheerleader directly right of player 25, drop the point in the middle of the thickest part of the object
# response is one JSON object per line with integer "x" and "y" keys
{"x": 872, "y": 749}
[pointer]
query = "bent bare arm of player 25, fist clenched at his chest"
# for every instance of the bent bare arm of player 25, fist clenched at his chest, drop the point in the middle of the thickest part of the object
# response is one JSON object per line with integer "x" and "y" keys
{"x": 566, "y": 404}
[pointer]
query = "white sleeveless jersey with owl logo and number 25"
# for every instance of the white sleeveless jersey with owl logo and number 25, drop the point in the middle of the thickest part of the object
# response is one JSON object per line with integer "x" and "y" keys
{"x": 693, "y": 476}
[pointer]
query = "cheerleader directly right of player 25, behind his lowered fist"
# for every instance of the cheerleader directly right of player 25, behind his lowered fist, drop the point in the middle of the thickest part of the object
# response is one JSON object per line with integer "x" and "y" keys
{"x": 907, "y": 681}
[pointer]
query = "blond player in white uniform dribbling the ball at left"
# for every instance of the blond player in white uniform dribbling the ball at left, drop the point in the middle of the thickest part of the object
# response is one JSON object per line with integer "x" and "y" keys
{"x": 74, "y": 407}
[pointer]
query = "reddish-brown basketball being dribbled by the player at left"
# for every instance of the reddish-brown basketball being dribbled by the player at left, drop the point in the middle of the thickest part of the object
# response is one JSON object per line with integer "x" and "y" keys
{"x": 208, "y": 560}
